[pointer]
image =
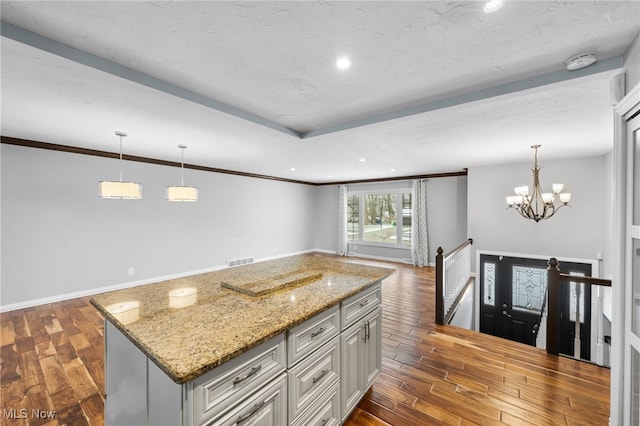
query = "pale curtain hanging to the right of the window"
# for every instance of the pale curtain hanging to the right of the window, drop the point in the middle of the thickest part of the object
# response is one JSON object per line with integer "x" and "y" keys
{"x": 419, "y": 240}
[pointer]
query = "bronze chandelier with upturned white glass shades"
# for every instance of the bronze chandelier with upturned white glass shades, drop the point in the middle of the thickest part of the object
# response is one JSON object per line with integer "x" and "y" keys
{"x": 538, "y": 205}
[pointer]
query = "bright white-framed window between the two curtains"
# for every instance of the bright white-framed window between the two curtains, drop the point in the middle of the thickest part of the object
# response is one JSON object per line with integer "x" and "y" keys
{"x": 385, "y": 218}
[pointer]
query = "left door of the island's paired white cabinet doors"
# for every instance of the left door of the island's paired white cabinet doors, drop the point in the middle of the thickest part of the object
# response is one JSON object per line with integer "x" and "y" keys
{"x": 351, "y": 367}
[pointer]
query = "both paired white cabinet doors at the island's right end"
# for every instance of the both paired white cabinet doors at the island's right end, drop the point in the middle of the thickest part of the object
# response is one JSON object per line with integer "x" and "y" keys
{"x": 361, "y": 358}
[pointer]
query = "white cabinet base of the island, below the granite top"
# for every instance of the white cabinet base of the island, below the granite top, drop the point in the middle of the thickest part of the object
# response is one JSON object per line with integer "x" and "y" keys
{"x": 314, "y": 374}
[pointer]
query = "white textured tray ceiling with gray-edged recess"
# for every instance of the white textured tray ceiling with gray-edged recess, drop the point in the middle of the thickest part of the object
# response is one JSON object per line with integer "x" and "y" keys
{"x": 252, "y": 86}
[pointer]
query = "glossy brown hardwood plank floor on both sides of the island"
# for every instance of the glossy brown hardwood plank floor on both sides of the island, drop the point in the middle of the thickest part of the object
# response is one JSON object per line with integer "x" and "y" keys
{"x": 52, "y": 360}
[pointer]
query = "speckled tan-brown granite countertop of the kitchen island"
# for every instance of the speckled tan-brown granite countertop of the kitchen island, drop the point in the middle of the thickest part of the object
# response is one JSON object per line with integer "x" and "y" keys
{"x": 190, "y": 325}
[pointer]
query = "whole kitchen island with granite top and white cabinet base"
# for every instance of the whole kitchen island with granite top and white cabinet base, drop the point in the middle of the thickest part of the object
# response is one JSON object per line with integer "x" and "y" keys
{"x": 289, "y": 341}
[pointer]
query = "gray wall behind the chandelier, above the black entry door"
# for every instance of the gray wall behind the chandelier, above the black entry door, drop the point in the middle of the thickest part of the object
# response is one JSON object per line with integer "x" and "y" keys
{"x": 575, "y": 232}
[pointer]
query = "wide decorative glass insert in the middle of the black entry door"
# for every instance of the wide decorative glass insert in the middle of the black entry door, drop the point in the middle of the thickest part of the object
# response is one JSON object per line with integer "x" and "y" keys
{"x": 529, "y": 285}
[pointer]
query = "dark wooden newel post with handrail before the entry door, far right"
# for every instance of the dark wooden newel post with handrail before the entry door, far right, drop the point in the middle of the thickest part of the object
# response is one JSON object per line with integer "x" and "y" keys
{"x": 554, "y": 278}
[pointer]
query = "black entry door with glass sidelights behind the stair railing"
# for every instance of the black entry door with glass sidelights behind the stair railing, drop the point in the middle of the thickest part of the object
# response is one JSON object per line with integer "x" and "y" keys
{"x": 512, "y": 295}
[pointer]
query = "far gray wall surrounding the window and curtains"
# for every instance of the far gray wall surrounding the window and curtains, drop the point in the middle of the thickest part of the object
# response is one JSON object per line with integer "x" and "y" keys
{"x": 446, "y": 217}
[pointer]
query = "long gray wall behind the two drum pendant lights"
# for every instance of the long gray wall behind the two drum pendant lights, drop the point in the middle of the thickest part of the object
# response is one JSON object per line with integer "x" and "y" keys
{"x": 59, "y": 238}
